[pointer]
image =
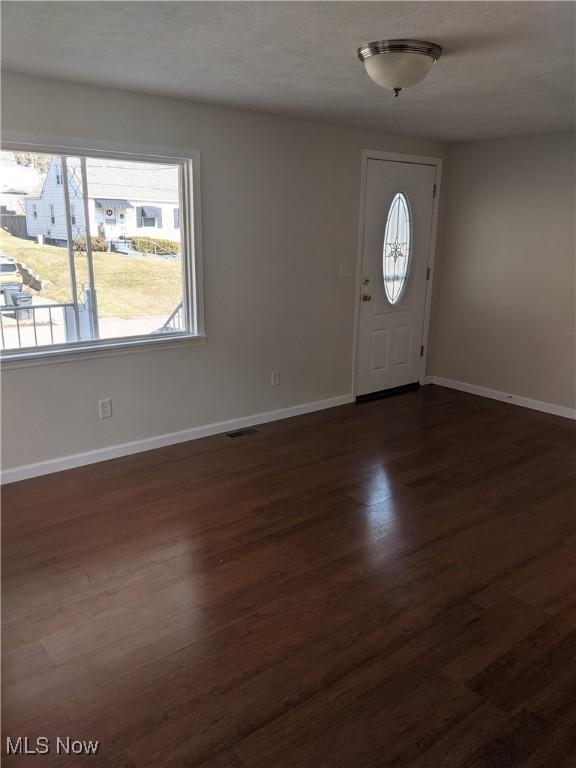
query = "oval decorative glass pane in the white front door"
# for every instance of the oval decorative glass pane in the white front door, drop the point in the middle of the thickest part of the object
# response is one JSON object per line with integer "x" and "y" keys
{"x": 397, "y": 248}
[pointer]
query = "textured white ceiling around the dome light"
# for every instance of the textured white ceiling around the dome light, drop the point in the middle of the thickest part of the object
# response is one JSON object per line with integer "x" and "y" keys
{"x": 507, "y": 67}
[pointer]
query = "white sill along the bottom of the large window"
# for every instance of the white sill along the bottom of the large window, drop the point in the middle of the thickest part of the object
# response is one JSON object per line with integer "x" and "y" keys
{"x": 88, "y": 351}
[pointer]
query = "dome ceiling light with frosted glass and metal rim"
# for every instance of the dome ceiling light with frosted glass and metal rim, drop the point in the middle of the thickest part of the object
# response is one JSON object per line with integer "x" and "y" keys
{"x": 397, "y": 64}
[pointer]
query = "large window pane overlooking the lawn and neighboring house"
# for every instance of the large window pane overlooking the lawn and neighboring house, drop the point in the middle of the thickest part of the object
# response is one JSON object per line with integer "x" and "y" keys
{"x": 101, "y": 260}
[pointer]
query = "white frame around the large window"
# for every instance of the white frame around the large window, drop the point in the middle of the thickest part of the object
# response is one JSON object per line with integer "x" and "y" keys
{"x": 192, "y": 279}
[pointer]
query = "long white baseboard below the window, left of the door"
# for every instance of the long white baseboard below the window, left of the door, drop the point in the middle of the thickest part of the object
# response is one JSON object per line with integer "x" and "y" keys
{"x": 159, "y": 441}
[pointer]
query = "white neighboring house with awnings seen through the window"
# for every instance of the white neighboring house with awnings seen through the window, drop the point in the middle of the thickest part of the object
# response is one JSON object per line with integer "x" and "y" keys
{"x": 124, "y": 199}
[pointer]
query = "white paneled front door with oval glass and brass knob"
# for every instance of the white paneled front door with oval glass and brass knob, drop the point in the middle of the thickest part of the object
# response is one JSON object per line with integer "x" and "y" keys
{"x": 397, "y": 214}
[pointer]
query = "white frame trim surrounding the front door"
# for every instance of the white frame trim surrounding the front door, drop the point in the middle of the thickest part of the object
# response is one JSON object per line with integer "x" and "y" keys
{"x": 398, "y": 157}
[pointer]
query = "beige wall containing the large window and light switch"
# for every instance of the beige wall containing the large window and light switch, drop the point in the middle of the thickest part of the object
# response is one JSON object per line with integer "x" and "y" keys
{"x": 280, "y": 212}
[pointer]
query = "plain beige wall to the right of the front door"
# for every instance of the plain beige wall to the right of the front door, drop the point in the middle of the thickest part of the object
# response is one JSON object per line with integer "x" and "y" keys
{"x": 504, "y": 309}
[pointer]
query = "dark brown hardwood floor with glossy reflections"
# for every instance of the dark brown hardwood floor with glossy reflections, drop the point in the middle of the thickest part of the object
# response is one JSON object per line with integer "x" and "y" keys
{"x": 390, "y": 584}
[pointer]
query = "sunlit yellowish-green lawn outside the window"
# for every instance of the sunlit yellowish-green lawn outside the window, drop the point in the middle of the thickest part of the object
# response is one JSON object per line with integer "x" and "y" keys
{"x": 127, "y": 286}
